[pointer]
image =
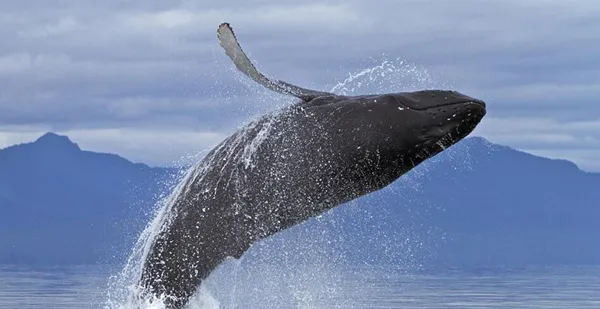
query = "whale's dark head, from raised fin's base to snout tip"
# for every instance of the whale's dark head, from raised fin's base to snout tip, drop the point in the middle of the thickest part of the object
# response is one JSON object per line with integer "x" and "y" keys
{"x": 396, "y": 132}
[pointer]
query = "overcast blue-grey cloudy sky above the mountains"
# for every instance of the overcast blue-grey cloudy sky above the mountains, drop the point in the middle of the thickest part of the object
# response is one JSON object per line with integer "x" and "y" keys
{"x": 148, "y": 80}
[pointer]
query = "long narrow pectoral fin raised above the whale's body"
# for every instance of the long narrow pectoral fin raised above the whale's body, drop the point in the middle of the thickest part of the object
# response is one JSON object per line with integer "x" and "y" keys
{"x": 233, "y": 49}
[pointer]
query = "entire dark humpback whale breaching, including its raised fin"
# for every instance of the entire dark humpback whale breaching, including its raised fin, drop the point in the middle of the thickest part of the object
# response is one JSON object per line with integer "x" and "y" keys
{"x": 293, "y": 164}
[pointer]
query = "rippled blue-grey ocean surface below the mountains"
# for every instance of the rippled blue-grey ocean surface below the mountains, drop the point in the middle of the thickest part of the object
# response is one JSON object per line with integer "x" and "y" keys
{"x": 84, "y": 287}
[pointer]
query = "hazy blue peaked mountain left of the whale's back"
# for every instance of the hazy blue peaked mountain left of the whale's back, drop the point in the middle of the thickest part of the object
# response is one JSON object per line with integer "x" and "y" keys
{"x": 60, "y": 204}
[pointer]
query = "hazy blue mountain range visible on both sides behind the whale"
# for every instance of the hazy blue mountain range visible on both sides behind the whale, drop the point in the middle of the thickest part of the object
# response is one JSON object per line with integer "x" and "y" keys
{"x": 475, "y": 204}
